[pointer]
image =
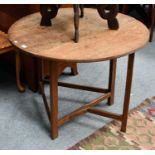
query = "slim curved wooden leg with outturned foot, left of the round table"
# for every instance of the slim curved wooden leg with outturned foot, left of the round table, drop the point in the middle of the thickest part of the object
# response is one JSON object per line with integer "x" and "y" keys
{"x": 18, "y": 69}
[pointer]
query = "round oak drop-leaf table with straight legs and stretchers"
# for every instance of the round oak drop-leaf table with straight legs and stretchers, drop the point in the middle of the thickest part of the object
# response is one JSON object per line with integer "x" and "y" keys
{"x": 97, "y": 43}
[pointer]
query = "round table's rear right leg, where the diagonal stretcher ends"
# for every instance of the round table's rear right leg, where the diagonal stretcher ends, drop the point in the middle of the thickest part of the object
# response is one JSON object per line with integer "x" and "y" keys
{"x": 112, "y": 77}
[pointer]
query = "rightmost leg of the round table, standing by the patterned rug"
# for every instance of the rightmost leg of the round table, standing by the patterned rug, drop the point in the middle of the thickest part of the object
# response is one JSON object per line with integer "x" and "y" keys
{"x": 127, "y": 91}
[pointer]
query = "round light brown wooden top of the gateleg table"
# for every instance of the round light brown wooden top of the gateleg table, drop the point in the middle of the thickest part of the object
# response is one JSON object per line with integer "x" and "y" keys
{"x": 96, "y": 43}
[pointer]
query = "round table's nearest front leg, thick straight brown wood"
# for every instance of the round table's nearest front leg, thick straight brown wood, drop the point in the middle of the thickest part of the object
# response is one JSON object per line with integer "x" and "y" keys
{"x": 54, "y": 99}
